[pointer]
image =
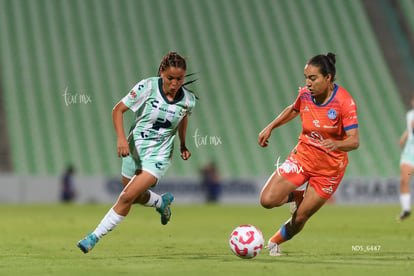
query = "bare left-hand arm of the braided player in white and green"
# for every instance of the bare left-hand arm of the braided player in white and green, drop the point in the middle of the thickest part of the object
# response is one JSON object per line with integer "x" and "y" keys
{"x": 118, "y": 121}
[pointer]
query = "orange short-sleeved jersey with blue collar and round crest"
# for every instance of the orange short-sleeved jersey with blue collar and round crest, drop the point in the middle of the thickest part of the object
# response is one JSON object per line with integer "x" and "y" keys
{"x": 326, "y": 121}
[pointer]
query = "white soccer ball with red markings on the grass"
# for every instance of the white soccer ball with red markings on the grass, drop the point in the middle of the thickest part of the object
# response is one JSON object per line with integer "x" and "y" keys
{"x": 246, "y": 241}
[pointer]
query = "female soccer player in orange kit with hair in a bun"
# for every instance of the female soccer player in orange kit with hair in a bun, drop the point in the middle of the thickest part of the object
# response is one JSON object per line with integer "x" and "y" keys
{"x": 330, "y": 130}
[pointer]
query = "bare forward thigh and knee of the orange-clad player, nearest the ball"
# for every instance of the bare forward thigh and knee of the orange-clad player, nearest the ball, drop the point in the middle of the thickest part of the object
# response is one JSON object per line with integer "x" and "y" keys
{"x": 275, "y": 190}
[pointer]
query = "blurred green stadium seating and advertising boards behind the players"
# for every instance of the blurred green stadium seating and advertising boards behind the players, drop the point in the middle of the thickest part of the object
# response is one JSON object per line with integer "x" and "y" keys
{"x": 65, "y": 63}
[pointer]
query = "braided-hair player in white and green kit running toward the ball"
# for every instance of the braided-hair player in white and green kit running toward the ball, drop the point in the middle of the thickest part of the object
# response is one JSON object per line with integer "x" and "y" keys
{"x": 161, "y": 105}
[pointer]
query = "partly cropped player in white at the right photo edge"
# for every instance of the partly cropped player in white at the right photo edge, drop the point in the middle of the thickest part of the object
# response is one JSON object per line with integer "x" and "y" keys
{"x": 407, "y": 164}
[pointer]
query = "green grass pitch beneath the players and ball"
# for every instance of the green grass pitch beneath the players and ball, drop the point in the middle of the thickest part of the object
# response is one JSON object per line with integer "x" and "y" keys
{"x": 338, "y": 240}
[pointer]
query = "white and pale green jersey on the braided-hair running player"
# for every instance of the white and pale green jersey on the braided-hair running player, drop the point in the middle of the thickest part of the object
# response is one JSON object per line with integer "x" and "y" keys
{"x": 157, "y": 119}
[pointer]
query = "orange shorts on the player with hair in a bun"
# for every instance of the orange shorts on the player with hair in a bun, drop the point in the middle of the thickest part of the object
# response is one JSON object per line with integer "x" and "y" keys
{"x": 325, "y": 186}
